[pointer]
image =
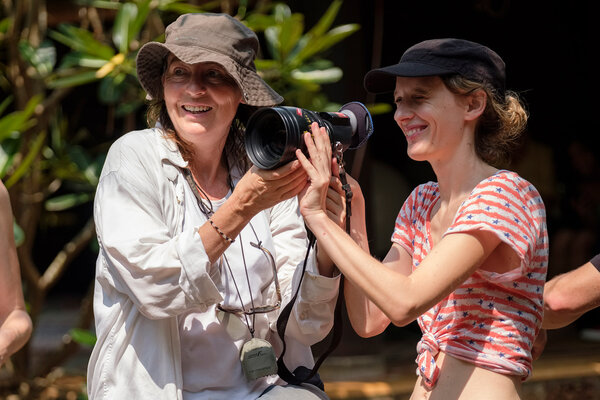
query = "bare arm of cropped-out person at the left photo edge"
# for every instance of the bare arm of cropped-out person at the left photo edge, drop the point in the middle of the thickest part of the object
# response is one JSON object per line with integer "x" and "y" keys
{"x": 15, "y": 323}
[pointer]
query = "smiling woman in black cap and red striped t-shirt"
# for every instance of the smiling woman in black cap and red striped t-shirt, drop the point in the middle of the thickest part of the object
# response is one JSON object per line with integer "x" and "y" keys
{"x": 469, "y": 252}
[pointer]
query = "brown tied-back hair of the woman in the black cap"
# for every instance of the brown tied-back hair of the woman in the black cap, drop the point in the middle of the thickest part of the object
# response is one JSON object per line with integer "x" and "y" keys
{"x": 500, "y": 126}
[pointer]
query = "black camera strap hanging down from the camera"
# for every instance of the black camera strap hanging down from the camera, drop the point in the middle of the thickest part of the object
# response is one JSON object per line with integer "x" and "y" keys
{"x": 303, "y": 374}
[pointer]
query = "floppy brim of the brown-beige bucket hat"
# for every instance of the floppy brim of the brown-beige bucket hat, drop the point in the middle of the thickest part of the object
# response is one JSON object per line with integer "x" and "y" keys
{"x": 150, "y": 59}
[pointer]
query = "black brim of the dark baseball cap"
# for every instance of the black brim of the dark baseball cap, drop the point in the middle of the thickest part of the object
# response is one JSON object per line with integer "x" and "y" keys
{"x": 383, "y": 80}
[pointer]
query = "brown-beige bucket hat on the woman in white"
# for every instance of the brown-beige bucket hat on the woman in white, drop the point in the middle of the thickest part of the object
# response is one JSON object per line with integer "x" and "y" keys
{"x": 208, "y": 37}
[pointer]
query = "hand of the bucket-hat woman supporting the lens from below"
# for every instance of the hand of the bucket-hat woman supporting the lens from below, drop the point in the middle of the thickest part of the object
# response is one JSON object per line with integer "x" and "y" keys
{"x": 260, "y": 189}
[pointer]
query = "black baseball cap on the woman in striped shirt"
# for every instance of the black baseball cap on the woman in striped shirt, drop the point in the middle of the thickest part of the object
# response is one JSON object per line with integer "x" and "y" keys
{"x": 438, "y": 57}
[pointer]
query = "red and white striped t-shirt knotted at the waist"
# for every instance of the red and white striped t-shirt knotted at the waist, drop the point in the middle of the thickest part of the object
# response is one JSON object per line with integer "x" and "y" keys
{"x": 492, "y": 319}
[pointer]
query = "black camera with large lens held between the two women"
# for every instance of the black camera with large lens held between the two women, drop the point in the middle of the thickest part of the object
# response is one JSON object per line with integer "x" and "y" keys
{"x": 273, "y": 134}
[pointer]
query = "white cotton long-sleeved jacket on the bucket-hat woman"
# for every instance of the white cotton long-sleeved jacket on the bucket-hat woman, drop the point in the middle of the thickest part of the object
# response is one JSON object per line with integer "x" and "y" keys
{"x": 154, "y": 281}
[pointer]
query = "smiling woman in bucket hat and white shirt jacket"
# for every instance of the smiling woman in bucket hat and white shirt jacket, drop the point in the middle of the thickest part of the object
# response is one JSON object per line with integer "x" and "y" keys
{"x": 198, "y": 250}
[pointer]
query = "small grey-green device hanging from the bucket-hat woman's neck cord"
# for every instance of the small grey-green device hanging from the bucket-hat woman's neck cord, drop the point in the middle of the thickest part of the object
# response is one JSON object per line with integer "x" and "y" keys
{"x": 258, "y": 359}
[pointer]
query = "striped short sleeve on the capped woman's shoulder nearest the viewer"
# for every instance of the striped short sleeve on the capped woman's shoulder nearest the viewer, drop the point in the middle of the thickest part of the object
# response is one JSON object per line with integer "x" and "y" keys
{"x": 508, "y": 206}
